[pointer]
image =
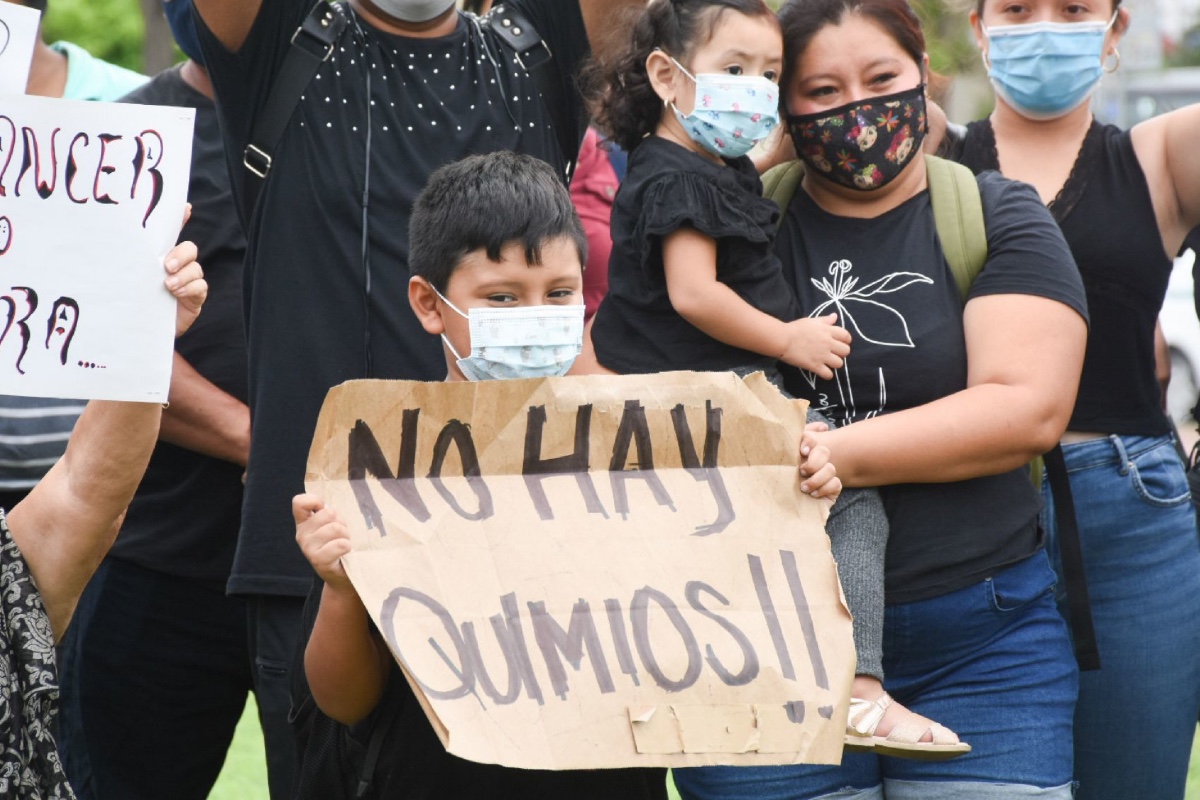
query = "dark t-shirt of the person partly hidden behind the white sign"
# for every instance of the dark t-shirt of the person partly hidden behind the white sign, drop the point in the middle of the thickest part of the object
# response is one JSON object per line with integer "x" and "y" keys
{"x": 184, "y": 519}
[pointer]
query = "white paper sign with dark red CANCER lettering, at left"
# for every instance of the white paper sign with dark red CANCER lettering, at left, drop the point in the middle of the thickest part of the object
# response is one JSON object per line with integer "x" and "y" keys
{"x": 92, "y": 200}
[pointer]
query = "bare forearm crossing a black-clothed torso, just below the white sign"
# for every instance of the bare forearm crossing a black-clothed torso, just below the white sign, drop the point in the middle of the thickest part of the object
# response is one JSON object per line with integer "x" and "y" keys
{"x": 203, "y": 418}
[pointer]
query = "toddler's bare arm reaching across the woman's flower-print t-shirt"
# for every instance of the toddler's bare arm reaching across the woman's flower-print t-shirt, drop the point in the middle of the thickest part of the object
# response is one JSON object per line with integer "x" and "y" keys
{"x": 689, "y": 260}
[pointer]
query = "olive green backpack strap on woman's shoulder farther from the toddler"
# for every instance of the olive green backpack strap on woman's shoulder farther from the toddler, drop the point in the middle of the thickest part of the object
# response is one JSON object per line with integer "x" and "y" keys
{"x": 958, "y": 216}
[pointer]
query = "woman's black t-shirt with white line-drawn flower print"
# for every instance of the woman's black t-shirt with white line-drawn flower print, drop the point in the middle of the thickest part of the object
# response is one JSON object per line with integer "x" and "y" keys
{"x": 891, "y": 286}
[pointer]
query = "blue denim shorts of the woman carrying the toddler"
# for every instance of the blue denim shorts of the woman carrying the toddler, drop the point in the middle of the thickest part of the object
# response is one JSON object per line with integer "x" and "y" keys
{"x": 993, "y": 663}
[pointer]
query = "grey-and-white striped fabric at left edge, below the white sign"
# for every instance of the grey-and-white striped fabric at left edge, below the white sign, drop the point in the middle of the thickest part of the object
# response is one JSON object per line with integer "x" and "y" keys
{"x": 34, "y": 435}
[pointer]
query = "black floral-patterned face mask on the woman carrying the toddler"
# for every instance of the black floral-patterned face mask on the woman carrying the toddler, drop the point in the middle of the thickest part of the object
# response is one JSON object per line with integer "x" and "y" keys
{"x": 866, "y": 145}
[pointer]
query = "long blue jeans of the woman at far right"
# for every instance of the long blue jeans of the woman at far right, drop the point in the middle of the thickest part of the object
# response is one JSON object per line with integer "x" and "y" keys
{"x": 1137, "y": 715}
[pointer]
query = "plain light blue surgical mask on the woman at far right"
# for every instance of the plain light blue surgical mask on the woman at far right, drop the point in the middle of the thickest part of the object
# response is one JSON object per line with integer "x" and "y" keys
{"x": 1046, "y": 70}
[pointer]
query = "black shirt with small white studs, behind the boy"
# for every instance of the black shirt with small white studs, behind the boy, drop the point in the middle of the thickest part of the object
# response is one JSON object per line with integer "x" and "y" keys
{"x": 311, "y": 317}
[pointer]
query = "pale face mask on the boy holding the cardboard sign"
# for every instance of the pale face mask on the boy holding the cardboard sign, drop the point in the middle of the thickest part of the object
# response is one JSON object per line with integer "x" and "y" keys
{"x": 521, "y": 342}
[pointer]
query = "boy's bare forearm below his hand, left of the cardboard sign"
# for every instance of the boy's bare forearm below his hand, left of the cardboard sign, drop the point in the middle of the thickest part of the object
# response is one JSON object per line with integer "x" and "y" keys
{"x": 344, "y": 661}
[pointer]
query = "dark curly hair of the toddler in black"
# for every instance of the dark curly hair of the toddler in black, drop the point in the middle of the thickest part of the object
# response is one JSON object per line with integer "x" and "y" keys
{"x": 625, "y": 106}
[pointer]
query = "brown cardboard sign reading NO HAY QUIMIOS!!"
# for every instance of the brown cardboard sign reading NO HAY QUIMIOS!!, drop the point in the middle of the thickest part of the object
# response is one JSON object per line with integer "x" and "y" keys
{"x": 595, "y": 573}
